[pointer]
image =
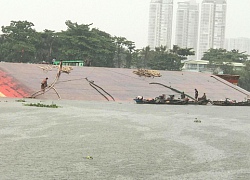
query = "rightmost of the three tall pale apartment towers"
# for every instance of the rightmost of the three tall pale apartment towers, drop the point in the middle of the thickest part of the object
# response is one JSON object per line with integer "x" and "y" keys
{"x": 212, "y": 25}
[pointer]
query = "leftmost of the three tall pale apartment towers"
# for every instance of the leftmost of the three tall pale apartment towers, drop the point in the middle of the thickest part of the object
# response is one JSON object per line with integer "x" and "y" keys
{"x": 160, "y": 23}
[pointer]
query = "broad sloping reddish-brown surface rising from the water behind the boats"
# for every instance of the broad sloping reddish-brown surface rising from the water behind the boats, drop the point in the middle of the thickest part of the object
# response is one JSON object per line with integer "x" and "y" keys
{"x": 108, "y": 84}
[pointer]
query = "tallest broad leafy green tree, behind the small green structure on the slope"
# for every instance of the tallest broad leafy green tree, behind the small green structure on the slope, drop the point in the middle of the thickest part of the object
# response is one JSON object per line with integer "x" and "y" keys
{"x": 81, "y": 42}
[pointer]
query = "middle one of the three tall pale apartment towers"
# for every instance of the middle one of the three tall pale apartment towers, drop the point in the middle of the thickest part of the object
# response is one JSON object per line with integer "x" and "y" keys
{"x": 187, "y": 24}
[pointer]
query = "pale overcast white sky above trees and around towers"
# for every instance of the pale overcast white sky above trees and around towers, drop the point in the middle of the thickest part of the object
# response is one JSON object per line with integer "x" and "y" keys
{"x": 122, "y": 18}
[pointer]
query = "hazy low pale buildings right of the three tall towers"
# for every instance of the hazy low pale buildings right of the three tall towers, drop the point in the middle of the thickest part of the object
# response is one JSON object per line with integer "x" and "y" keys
{"x": 241, "y": 44}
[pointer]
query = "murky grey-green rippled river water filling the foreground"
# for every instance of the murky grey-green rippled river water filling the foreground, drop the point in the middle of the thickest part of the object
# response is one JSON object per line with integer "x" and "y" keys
{"x": 126, "y": 141}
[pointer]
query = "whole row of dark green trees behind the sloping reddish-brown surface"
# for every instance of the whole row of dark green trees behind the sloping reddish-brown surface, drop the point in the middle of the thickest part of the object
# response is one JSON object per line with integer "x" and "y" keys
{"x": 20, "y": 42}
